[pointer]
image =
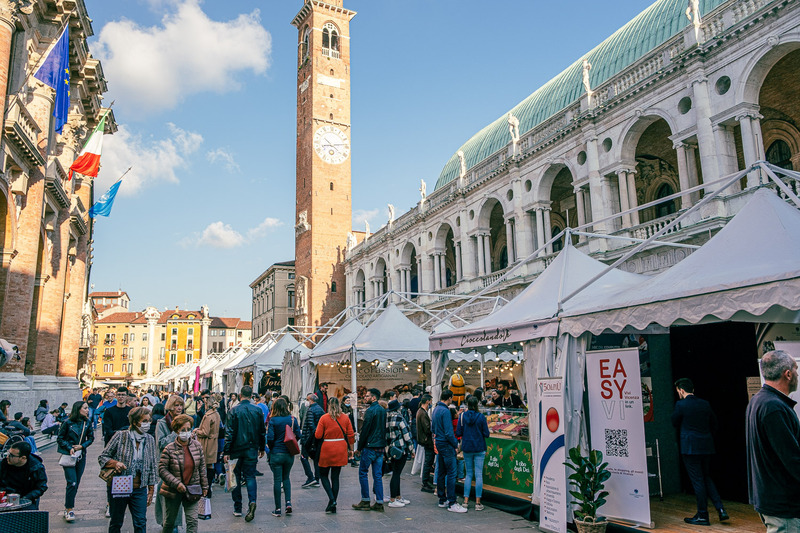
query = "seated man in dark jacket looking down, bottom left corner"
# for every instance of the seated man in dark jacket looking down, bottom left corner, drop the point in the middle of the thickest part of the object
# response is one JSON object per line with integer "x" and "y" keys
{"x": 23, "y": 473}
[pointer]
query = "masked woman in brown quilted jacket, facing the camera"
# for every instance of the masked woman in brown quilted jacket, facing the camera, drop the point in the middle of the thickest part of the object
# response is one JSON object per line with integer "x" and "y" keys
{"x": 182, "y": 469}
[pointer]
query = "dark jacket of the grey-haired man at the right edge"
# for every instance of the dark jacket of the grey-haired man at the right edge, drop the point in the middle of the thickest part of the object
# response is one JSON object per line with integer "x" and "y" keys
{"x": 773, "y": 454}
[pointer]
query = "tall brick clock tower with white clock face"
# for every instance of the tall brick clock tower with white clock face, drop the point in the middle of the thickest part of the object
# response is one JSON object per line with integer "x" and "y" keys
{"x": 323, "y": 199}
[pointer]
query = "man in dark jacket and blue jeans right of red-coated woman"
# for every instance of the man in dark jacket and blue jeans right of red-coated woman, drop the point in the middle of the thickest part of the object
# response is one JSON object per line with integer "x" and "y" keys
{"x": 371, "y": 444}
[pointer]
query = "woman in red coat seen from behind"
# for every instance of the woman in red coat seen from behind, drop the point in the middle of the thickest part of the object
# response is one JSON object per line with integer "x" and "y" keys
{"x": 337, "y": 433}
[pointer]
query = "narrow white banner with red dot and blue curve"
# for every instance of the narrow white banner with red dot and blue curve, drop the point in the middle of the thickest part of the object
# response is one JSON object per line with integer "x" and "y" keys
{"x": 553, "y": 494}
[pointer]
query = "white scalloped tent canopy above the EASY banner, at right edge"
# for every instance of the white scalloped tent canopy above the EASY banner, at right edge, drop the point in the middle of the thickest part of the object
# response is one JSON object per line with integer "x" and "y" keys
{"x": 749, "y": 271}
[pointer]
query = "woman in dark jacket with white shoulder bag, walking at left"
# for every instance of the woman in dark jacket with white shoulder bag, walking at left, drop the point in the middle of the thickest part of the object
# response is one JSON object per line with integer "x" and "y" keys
{"x": 74, "y": 436}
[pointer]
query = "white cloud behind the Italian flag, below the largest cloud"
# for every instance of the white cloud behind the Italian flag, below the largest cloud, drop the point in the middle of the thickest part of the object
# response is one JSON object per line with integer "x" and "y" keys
{"x": 152, "y": 160}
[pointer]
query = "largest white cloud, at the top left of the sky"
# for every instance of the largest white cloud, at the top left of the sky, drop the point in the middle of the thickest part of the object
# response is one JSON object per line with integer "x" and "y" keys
{"x": 153, "y": 68}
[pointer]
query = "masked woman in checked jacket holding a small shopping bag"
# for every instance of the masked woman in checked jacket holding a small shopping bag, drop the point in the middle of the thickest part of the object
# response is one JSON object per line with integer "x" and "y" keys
{"x": 132, "y": 452}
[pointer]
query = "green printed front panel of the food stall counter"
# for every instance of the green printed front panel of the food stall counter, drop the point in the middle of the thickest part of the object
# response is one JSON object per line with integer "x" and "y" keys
{"x": 508, "y": 465}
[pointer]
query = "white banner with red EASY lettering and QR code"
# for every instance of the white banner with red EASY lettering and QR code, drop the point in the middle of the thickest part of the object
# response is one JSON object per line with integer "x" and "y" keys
{"x": 617, "y": 430}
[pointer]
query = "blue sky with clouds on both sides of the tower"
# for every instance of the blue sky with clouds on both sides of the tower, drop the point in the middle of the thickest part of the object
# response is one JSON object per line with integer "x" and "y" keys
{"x": 205, "y": 99}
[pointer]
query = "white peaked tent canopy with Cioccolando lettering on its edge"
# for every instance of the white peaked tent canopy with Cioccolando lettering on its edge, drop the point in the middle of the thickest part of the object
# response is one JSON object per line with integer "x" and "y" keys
{"x": 530, "y": 315}
